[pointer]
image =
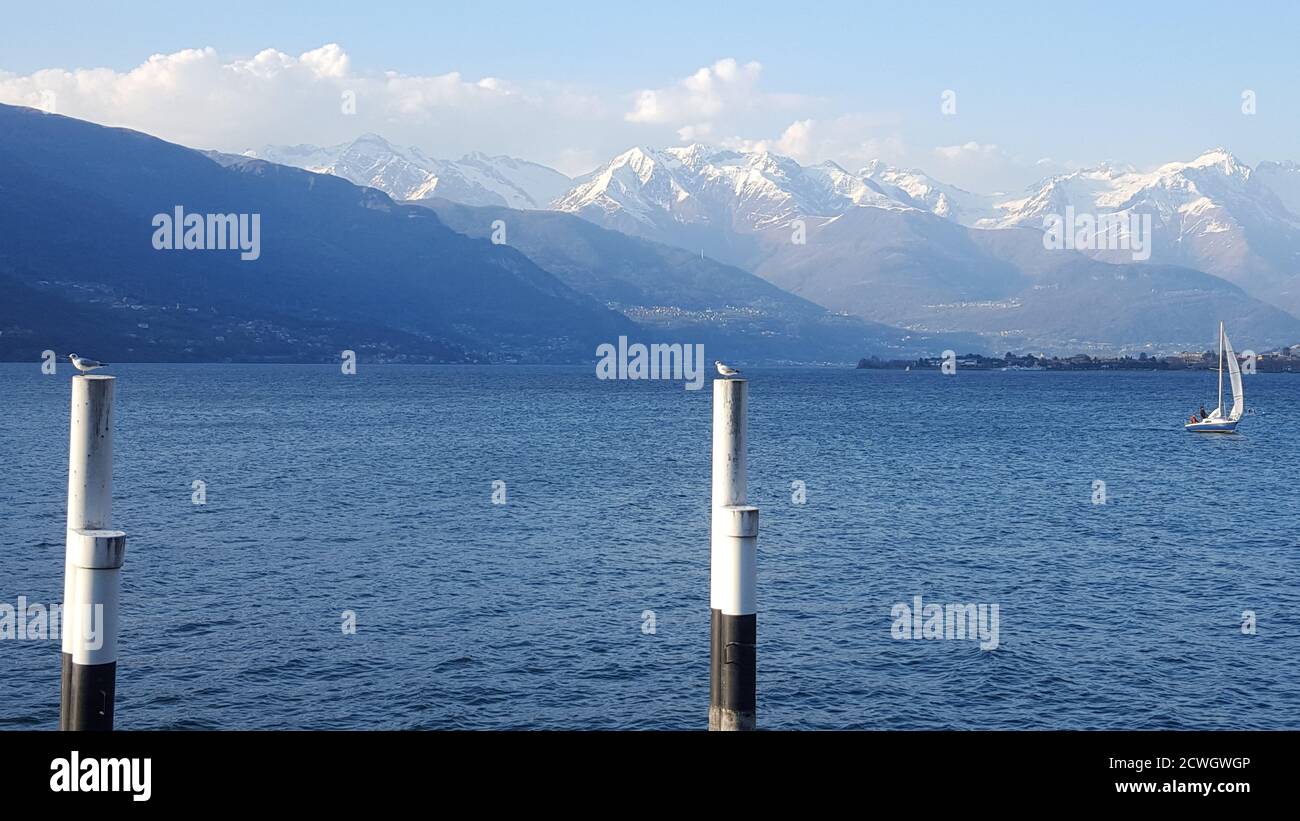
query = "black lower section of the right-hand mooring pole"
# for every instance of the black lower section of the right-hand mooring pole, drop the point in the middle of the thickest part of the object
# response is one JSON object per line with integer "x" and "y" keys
{"x": 734, "y": 679}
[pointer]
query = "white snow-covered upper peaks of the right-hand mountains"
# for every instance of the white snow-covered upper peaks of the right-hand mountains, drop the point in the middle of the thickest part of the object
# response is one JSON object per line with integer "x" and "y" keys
{"x": 760, "y": 190}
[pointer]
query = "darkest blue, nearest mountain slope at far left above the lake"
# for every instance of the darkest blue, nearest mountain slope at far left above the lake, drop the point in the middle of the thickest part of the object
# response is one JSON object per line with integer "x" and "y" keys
{"x": 77, "y": 203}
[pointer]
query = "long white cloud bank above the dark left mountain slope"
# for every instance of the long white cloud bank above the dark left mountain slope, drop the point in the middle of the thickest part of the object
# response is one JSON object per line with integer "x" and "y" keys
{"x": 202, "y": 99}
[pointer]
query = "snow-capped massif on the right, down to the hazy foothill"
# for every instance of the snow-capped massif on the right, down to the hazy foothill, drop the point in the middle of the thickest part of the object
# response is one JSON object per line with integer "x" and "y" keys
{"x": 1214, "y": 214}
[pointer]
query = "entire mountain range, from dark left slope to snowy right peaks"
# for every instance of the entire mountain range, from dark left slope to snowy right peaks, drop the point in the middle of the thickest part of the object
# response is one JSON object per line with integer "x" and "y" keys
{"x": 404, "y": 258}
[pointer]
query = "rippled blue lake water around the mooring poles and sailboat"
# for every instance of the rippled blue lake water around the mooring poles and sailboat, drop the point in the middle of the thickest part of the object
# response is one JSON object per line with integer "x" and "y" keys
{"x": 372, "y": 493}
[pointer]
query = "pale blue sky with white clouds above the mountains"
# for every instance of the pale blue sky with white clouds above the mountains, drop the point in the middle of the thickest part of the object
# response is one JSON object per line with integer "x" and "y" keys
{"x": 1139, "y": 84}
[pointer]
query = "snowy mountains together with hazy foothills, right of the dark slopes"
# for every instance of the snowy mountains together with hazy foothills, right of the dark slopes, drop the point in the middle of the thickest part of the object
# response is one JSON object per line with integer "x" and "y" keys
{"x": 898, "y": 246}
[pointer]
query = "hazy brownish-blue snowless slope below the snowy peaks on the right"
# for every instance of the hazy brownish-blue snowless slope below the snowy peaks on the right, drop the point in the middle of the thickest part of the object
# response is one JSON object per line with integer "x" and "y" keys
{"x": 939, "y": 277}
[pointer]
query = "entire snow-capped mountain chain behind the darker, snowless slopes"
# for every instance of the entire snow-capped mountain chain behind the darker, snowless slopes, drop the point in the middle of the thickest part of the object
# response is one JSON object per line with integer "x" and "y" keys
{"x": 1214, "y": 214}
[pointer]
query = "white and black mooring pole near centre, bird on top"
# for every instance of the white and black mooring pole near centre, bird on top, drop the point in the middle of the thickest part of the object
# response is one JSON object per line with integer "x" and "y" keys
{"x": 734, "y": 574}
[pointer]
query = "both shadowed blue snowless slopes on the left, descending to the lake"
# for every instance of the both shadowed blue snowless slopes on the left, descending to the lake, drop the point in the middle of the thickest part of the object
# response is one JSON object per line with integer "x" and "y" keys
{"x": 345, "y": 267}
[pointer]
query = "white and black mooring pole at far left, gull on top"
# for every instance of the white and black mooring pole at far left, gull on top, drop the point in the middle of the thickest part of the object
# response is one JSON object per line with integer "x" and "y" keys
{"x": 93, "y": 563}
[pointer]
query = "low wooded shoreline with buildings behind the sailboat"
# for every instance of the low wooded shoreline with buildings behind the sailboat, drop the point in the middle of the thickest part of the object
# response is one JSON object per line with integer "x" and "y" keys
{"x": 1284, "y": 360}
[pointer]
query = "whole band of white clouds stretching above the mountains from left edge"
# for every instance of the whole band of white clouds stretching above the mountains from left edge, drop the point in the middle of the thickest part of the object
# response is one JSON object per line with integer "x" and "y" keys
{"x": 203, "y": 99}
